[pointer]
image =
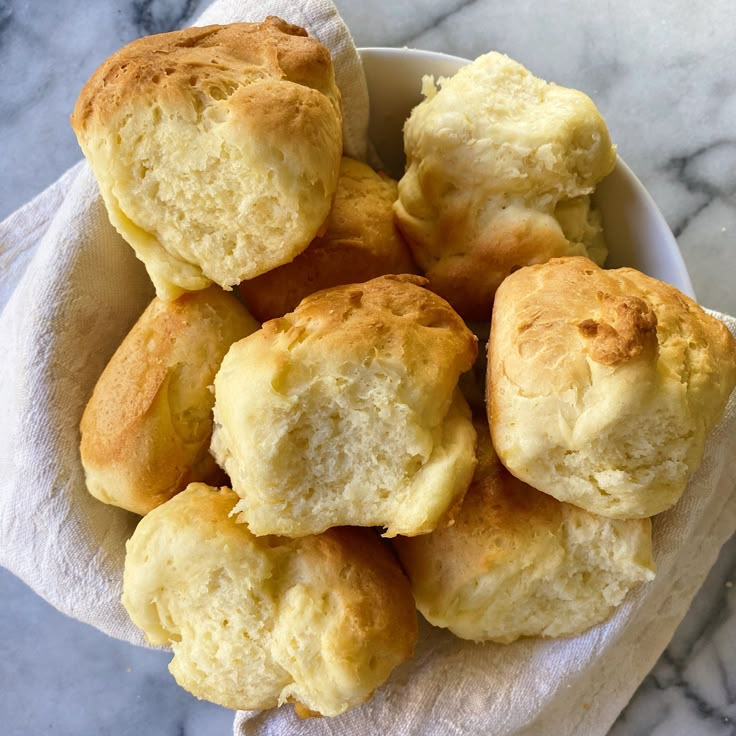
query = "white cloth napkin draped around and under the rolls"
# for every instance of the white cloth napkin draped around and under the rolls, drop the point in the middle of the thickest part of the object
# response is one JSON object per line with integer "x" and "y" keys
{"x": 70, "y": 289}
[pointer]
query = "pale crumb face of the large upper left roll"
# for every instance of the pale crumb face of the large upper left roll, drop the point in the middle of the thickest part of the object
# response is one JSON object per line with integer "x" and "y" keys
{"x": 226, "y": 194}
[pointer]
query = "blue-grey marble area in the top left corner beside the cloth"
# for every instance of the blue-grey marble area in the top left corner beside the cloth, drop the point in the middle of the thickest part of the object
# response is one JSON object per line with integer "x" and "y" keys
{"x": 47, "y": 51}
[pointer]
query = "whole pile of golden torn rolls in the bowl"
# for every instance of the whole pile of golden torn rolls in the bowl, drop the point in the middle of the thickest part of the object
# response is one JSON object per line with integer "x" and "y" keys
{"x": 269, "y": 435}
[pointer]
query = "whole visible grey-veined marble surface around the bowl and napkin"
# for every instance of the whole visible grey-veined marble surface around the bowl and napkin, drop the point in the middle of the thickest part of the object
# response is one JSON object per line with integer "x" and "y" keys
{"x": 662, "y": 73}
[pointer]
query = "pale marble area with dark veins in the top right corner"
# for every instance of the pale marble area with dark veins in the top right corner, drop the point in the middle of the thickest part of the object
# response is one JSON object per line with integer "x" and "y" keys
{"x": 661, "y": 73}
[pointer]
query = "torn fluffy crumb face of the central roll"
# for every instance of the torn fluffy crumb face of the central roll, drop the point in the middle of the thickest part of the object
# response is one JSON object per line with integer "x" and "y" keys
{"x": 347, "y": 449}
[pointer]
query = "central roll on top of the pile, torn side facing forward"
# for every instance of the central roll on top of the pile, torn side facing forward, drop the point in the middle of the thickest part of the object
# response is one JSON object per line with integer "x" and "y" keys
{"x": 346, "y": 412}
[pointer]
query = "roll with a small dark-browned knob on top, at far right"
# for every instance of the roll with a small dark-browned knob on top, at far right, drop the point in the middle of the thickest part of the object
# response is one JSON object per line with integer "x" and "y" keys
{"x": 603, "y": 385}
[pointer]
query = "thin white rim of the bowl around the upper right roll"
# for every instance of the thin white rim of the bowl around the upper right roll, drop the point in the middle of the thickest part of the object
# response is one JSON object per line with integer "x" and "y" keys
{"x": 677, "y": 262}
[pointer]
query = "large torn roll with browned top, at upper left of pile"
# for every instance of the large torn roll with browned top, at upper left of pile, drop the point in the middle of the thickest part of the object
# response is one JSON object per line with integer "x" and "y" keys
{"x": 216, "y": 149}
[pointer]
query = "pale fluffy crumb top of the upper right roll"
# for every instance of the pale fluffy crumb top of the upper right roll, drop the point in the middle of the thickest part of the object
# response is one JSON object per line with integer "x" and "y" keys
{"x": 544, "y": 142}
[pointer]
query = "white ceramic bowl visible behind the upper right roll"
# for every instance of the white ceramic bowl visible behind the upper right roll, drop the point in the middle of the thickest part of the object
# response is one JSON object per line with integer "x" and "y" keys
{"x": 636, "y": 233}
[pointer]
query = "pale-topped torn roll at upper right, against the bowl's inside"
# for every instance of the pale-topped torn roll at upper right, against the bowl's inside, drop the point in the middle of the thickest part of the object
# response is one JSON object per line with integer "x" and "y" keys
{"x": 500, "y": 166}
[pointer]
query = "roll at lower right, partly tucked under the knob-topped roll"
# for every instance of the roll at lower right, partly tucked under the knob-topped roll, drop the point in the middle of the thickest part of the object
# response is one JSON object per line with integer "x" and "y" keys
{"x": 518, "y": 563}
